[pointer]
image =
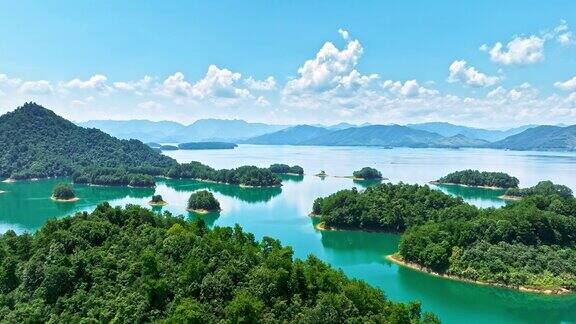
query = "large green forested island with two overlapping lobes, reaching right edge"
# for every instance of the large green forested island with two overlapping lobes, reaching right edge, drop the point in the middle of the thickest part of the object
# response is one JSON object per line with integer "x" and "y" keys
{"x": 529, "y": 244}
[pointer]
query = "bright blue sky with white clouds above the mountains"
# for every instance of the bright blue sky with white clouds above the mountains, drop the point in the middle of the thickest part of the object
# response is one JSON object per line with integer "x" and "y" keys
{"x": 489, "y": 64}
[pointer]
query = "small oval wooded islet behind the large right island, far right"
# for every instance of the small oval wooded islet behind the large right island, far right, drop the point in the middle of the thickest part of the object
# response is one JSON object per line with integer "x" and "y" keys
{"x": 481, "y": 179}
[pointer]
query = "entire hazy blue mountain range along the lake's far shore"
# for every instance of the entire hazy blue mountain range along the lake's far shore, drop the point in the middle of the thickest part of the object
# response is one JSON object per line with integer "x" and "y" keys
{"x": 436, "y": 134}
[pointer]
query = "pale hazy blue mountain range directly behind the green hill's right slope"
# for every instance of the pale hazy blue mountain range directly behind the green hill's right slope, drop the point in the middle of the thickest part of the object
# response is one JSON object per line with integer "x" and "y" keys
{"x": 171, "y": 132}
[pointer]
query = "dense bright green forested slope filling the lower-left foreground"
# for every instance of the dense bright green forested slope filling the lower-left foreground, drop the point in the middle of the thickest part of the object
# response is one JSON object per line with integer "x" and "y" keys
{"x": 132, "y": 265}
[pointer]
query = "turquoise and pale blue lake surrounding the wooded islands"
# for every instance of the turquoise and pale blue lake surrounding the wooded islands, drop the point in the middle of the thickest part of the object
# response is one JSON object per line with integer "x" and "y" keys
{"x": 282, "y": 213}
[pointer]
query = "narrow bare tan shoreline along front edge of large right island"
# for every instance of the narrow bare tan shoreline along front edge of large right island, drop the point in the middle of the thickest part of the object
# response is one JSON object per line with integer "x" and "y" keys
{"x": 394, "y": 258}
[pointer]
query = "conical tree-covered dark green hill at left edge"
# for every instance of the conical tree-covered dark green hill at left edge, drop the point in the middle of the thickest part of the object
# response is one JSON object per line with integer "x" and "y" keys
{"x": 37, "y": 143}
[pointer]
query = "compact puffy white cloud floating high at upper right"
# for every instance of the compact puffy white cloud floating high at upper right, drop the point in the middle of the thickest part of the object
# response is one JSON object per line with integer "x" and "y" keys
{"x": 521, "y": 50}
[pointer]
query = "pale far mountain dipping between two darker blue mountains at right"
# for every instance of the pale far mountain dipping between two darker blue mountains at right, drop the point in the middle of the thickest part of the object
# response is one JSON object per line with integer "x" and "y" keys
{"x": 447, "y": 129}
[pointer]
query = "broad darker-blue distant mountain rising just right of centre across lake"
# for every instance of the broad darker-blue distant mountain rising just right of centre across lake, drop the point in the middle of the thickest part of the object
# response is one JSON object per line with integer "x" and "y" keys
{"x": 390, "y": 136}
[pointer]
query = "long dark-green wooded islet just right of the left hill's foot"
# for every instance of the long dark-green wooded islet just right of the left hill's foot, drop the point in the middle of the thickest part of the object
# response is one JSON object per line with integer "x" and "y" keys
{"x": 245, "y": 175}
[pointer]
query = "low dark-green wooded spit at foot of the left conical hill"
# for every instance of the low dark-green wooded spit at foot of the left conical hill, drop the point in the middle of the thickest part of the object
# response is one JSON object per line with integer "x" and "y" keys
{"x": 113, "y": 177}
